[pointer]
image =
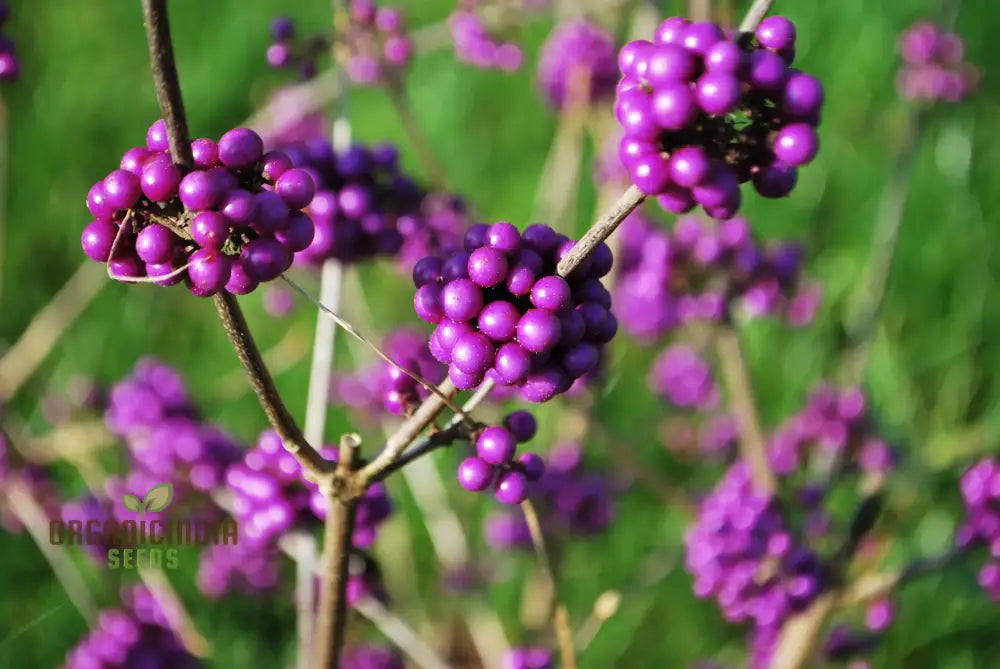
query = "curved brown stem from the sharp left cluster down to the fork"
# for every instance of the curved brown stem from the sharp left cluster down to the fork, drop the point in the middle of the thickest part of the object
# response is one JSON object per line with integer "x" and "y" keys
{"x": 263, "y": 385}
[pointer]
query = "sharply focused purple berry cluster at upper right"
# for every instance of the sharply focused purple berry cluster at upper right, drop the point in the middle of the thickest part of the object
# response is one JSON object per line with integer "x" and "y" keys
{"x": 704, "y": 113}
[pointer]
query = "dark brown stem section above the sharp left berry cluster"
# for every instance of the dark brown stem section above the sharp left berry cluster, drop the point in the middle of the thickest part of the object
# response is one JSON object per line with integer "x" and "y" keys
{"x": 168, "y": 87}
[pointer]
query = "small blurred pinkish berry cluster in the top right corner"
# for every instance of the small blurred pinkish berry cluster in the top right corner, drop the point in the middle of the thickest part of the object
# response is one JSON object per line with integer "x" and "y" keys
{"x": 934, "y": 66}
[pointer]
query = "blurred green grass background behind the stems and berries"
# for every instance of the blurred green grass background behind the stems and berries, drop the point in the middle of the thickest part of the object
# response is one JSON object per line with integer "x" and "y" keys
{"x": 85, "y": 96}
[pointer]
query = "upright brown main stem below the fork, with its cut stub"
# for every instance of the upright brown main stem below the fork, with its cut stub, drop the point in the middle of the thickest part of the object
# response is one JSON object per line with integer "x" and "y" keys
{"x": 340, "y": 515}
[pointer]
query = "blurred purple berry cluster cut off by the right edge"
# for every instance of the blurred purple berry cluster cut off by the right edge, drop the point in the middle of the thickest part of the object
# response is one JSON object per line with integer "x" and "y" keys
{"x": 980, "y": 487}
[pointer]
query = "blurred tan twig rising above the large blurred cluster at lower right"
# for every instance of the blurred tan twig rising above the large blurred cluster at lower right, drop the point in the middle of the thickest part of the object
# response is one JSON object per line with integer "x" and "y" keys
{"x": 753, "y": 447}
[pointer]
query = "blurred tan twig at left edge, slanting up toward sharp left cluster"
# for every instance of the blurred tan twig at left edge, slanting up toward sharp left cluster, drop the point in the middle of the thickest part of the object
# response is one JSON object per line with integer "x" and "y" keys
{"x": 48, "y": 325}
